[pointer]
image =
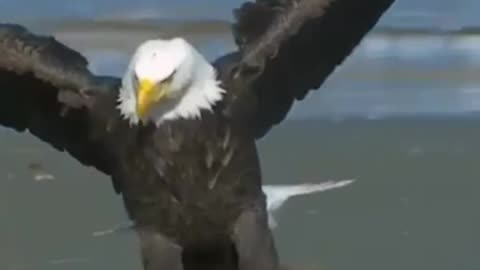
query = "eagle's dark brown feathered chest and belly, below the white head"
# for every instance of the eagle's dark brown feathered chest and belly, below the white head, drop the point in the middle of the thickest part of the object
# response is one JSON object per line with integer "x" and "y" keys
{"x": 214, "y": 177}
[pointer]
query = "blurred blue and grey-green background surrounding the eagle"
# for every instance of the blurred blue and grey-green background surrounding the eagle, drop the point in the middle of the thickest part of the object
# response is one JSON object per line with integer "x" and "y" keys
{"x": 400, "y": 116}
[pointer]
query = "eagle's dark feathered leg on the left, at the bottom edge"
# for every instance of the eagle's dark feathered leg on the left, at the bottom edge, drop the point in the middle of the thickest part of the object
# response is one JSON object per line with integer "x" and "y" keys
{"x": 158, "y": 252}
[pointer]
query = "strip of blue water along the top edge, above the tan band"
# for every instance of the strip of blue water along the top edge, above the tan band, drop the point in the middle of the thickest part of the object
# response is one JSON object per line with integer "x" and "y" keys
{"x": 442, "y": 13}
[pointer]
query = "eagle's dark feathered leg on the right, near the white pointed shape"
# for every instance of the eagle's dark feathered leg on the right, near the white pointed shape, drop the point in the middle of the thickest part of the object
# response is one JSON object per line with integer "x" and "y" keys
{"x": 254, "y": 241}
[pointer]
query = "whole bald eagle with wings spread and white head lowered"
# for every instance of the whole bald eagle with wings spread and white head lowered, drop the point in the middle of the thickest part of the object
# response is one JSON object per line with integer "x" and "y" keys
{"x": 177, "y": 134}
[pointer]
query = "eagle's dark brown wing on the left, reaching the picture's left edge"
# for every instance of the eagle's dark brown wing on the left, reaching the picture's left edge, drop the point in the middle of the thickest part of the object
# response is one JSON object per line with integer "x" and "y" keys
{"x": 47, "y": 89}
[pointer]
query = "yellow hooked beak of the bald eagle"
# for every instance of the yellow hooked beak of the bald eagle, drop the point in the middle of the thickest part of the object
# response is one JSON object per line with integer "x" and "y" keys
{"x": 149, "y": 93}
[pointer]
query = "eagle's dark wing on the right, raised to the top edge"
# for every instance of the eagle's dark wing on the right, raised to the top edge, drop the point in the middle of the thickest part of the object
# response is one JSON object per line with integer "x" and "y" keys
{"x": 289, "y": 47}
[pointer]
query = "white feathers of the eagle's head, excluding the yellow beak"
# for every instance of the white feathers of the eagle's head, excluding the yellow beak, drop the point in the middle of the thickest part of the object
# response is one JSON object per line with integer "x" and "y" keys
{"x": 193, "y": 87}
